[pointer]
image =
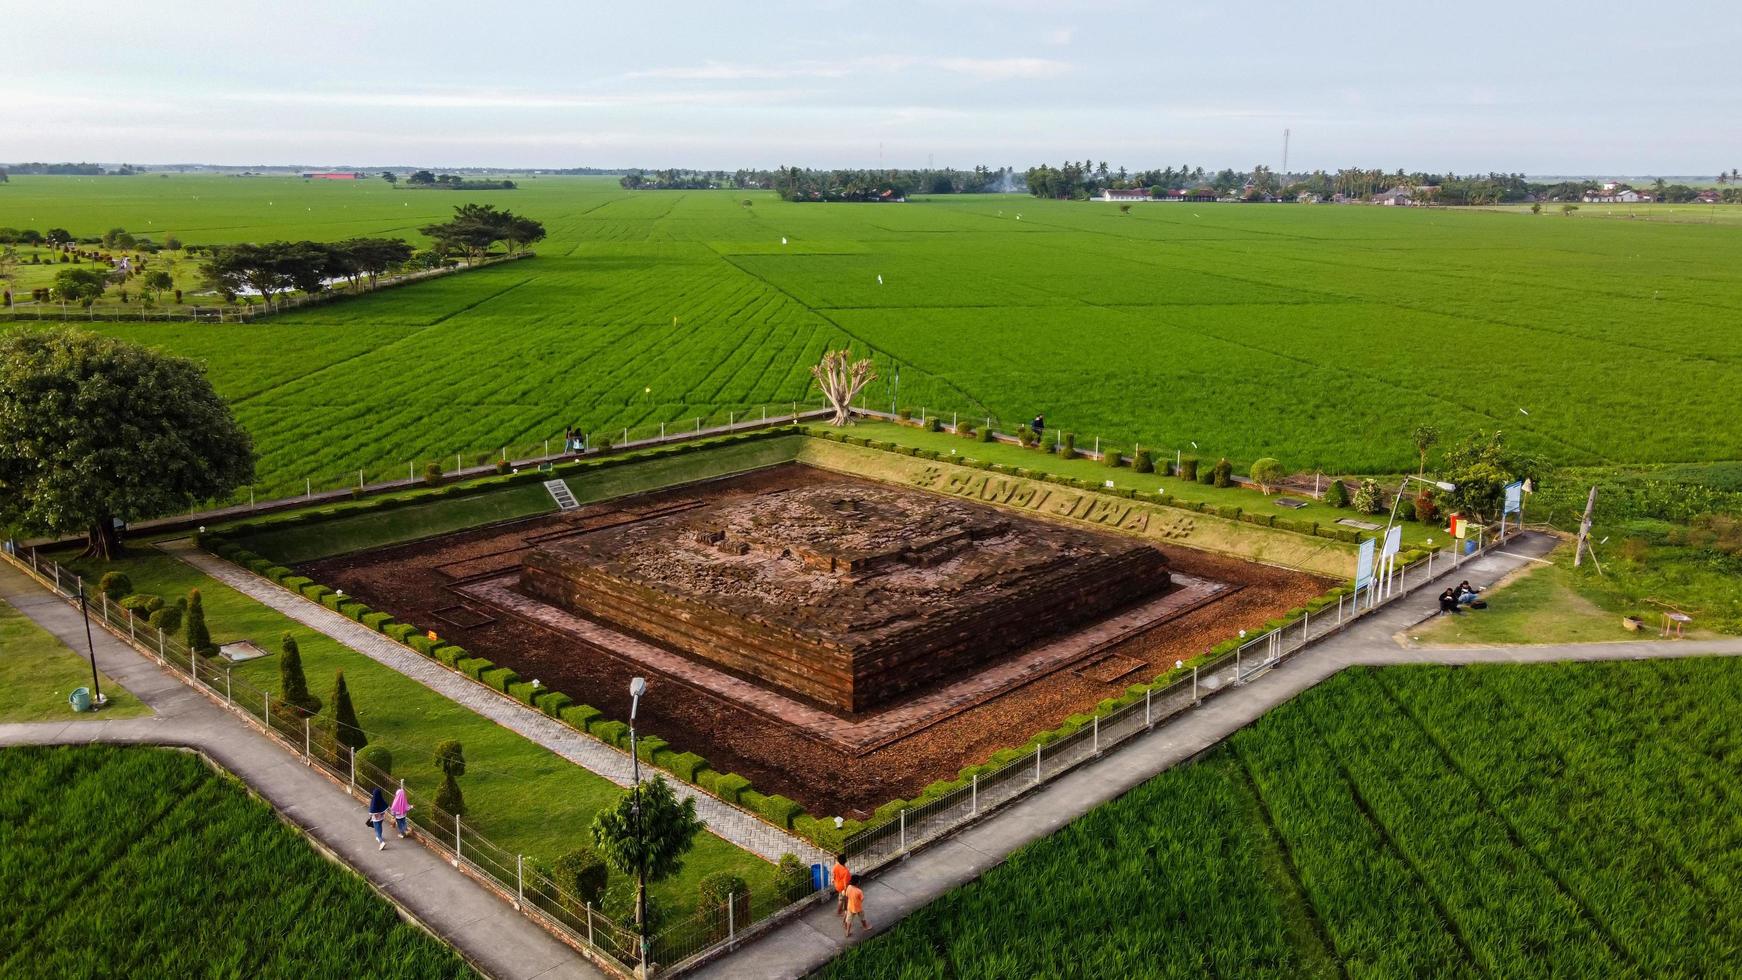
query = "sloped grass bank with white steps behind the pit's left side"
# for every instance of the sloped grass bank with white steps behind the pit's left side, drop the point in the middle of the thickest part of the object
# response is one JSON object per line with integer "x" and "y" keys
{"x": 372, "y": 528}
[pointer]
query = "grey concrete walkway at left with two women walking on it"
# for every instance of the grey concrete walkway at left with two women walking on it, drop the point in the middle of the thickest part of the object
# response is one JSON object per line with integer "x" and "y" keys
{"x": 487, "y": 930}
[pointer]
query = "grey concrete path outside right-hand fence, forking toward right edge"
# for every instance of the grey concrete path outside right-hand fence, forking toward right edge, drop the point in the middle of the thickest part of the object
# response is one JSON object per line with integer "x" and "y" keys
{"x": 809, "y": 941}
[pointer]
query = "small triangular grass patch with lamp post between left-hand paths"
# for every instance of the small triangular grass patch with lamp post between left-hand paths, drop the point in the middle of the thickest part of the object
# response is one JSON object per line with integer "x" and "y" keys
{"x": 37, "y": 675}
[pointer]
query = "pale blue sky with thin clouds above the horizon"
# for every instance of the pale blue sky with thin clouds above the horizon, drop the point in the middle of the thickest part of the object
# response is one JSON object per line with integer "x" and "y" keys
{"x": 1520, "y": 88}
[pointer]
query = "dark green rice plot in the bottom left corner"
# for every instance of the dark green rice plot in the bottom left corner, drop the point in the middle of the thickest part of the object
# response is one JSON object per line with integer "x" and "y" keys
{"x": 145, "y": 863}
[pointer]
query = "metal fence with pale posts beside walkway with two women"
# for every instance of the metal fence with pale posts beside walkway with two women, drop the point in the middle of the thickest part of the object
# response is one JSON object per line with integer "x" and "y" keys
{"x": 508, "y": 873}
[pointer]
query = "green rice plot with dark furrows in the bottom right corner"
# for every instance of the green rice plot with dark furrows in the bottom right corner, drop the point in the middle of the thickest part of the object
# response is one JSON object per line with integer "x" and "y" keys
{"x": 1501, "y": 821}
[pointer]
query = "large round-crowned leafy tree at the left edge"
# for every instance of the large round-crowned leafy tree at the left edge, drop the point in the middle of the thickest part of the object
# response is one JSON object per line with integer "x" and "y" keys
{"x": 95, "y": 429}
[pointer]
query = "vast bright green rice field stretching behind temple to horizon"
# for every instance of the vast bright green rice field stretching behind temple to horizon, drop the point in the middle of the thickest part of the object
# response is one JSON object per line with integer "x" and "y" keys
{"x": 1316, "y": 335}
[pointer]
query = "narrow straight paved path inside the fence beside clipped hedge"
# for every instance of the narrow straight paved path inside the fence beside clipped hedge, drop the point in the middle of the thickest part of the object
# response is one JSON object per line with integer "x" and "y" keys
{"x": 729, "y": 822}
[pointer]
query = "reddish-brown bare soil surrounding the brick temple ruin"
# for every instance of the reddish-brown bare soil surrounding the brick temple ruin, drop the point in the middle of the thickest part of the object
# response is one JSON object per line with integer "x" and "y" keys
{"x": 408, "y": 582}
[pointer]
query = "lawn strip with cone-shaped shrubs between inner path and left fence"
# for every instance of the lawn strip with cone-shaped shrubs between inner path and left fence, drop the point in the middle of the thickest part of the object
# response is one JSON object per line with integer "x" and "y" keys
{"x": 520, "y": 795}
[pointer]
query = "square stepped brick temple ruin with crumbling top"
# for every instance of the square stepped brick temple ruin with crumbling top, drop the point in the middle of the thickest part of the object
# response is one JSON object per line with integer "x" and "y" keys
{"x": 846, "y": 594}
